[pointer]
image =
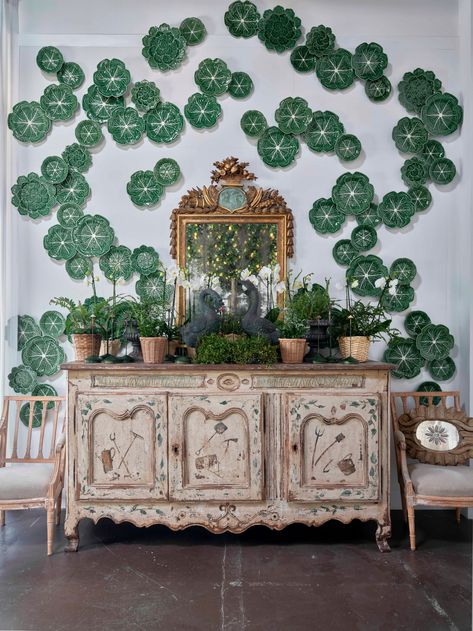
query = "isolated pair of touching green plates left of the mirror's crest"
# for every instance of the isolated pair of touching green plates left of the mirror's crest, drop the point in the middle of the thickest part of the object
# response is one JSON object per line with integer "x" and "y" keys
{"x": 146, "y": 188}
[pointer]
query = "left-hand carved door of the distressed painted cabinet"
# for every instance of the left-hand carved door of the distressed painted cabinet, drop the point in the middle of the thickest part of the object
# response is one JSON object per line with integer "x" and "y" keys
{"x": 121, "y": 446}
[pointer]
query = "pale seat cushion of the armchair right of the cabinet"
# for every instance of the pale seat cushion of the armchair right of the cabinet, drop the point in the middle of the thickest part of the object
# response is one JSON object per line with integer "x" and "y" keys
{"x": 437, "y": 480}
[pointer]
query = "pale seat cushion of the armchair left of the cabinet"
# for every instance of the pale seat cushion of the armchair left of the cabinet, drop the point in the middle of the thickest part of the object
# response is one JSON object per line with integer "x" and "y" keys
{"x": 21, "y": 481}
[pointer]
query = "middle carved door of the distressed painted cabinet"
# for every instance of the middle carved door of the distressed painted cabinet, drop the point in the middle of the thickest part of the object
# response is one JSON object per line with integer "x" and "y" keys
{"x": 215, "y": 447}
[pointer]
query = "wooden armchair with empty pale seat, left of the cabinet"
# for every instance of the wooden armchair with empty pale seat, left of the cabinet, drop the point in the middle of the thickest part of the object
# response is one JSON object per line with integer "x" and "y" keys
{"x": 36, "y": 478}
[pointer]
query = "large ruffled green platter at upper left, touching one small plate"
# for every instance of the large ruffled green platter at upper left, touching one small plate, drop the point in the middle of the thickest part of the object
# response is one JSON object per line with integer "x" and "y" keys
{"x": 164, "y": 47}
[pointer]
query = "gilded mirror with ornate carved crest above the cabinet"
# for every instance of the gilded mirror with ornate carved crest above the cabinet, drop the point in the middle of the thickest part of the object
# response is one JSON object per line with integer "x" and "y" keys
{"x": 219, "y": 231}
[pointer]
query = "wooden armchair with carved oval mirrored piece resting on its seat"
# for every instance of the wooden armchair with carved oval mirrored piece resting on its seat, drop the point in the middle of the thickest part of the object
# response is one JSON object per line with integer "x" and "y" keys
{"x": 432, "y": 428}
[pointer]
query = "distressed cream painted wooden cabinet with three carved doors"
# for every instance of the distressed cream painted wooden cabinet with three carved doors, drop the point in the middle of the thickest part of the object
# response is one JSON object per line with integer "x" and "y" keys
{"x": 228, "y": 447}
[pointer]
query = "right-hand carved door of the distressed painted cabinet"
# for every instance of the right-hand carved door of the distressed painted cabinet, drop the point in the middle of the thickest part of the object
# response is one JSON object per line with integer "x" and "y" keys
{"x": 333, "y": 447}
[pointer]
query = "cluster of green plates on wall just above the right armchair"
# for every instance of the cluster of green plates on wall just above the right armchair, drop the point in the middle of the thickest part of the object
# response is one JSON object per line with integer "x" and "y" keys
{"x": 429, "y": 345}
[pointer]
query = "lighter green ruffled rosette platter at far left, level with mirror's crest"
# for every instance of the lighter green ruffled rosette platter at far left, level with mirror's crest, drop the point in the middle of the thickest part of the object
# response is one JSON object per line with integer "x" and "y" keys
{"x": 33, "y": 195}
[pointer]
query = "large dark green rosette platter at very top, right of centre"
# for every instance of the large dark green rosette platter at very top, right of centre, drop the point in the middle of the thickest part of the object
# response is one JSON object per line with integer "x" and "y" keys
{"x": 279, "y": 29}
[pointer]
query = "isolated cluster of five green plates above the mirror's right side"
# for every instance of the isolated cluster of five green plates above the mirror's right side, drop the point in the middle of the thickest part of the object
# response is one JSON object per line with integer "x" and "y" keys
{"x": 279, "y": 146}
